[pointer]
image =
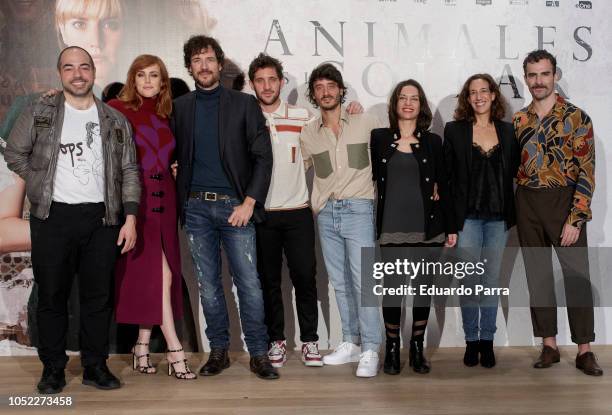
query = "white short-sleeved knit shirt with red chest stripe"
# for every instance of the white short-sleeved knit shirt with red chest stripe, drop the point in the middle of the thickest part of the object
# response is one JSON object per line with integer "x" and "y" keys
{"x": 288, "y": 188}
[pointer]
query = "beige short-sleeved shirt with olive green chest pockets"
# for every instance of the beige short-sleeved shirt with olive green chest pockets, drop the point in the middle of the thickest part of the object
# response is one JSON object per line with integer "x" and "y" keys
{"x": 342, "y": 166}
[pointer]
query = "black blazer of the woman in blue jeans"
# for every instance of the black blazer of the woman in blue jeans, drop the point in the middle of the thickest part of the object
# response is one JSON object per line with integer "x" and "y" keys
{"x": 458, "y": 139}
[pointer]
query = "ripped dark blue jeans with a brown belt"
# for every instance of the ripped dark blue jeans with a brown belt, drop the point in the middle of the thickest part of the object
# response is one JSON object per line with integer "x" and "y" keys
{"x": 207, "y": 230}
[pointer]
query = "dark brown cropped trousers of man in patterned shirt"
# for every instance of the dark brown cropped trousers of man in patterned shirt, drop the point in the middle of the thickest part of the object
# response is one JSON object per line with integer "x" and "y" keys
{"x": 541, "y": 214}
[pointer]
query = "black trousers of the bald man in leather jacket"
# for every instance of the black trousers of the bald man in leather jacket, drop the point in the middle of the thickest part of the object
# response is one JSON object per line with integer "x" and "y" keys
{"x": 73, "y": 240}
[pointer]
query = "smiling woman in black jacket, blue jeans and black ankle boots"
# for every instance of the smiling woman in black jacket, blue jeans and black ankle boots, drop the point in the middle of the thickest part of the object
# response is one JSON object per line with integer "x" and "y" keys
{"x": 482, "y": 158}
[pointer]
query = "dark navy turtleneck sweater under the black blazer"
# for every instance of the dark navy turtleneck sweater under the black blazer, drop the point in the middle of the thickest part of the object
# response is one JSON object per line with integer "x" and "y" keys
{"x": 208, "y": 174}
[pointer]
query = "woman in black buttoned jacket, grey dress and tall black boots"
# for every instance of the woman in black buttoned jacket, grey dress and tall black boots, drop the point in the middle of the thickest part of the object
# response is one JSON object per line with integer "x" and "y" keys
{"x": 408, "y": 167}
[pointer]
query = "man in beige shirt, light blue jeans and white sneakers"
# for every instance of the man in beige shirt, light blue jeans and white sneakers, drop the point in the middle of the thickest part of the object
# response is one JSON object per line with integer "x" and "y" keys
{"x": 336, "y": 143}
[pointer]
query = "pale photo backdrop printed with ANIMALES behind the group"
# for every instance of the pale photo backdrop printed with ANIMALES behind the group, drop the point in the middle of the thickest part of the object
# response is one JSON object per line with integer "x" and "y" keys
{"x": 375, "y": 43}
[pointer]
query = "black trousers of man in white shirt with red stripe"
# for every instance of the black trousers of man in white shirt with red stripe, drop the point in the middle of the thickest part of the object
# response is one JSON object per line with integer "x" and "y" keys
{"x": 291, "y": 232}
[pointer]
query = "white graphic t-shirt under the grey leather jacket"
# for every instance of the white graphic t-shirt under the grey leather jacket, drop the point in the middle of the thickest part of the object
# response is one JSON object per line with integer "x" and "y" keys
{"x": 79, "y": 177}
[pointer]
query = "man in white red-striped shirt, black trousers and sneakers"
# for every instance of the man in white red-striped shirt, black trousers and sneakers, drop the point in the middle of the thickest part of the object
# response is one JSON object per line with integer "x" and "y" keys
{"x": 289, "y": 225}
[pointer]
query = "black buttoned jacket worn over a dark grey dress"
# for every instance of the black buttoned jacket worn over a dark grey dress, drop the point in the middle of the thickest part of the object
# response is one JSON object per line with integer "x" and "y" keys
{"x": 438, "y": 214}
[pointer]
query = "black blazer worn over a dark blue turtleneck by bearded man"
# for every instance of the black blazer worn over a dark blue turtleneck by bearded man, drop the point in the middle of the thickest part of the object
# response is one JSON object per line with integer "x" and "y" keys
{"x": 244, "y": 147}
